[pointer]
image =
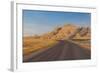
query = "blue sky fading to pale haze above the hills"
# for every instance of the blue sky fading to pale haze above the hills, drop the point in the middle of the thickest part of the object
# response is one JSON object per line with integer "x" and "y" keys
{"x": 37, "y": 22}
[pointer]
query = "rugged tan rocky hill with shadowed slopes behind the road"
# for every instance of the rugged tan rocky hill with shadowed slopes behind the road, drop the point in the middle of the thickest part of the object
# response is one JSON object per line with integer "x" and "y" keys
{"x": 68, "y": 31}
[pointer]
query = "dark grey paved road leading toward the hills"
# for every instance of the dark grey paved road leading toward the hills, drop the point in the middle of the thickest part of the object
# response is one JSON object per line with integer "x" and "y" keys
{"x": 64, "y": 50}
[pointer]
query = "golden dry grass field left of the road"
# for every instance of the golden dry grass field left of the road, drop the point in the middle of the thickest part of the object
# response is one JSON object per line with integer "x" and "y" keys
{"x": 31, "y": 45}
